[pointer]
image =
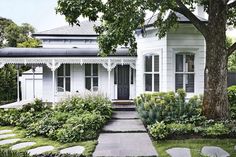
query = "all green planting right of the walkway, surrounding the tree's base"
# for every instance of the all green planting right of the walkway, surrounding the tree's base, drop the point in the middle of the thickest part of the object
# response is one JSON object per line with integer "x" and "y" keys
{"x": 171, "y": 116}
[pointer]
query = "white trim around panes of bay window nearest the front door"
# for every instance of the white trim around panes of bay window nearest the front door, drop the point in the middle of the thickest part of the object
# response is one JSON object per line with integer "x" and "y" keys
{"x": 152, "y": 72}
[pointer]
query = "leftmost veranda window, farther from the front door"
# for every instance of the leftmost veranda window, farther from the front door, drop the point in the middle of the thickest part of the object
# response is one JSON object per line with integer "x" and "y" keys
{"x": 63, "y": 78}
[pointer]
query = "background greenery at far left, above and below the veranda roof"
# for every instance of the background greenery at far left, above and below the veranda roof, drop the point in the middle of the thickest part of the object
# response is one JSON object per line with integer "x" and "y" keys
{"x": 12, "y": 35}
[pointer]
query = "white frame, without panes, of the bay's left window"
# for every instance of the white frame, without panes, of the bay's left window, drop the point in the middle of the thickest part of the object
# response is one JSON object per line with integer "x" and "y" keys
{"x": 153, "y": 72}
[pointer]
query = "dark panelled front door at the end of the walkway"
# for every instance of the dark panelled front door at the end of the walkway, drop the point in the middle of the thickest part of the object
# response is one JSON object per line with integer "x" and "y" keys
{"x": 123, "y": 82}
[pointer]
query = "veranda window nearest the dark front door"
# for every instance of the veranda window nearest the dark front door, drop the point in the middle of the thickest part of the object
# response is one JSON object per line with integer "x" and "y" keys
{"x": 91, "y": 77}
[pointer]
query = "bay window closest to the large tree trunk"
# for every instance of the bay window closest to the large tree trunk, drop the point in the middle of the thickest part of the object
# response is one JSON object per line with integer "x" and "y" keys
{"x": 184, "y": 75}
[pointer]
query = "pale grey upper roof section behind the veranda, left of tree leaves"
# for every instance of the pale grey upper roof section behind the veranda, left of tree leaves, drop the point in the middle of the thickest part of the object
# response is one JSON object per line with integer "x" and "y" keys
{"x": 86, "y": 28}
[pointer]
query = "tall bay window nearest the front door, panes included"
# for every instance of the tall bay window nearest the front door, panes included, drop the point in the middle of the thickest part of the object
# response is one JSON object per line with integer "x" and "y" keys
{"x": 152, "y": 73}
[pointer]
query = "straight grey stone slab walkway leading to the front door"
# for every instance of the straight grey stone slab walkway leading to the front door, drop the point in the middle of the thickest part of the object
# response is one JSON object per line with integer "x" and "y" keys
{"x": 124, "y": 135}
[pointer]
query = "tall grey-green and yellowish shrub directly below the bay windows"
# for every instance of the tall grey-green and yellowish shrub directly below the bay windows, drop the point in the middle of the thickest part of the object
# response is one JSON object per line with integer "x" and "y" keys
{"x": 168, "y": 107}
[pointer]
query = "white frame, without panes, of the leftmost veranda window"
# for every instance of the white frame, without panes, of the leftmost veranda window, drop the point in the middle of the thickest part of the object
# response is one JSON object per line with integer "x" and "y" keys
{"x": 64, "y": 77}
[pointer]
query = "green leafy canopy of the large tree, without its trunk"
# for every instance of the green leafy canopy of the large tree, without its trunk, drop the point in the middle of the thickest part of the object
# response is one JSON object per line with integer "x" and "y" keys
{"x": 121, "y": 17}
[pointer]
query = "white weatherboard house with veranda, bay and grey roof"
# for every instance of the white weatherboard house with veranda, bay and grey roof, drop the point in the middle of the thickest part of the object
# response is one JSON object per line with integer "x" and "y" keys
{"x": 70, "y": 63}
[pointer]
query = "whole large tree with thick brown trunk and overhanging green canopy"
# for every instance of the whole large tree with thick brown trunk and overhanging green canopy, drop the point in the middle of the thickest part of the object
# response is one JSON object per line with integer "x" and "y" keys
{"x": 120, "y": 18}
